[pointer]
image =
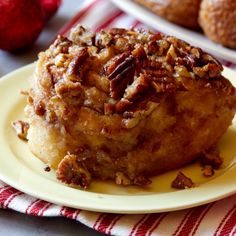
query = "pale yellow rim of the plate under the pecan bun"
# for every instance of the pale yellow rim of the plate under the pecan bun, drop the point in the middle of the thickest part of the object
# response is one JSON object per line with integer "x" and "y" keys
{"x": 111, "y": 203}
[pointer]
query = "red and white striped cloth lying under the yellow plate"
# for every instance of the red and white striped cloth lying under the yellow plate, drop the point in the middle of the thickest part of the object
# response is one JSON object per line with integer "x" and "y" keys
{"x": 217, "y": 218}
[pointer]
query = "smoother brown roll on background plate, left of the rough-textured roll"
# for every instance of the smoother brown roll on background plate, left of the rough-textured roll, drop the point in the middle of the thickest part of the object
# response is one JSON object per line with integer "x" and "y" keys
{"x": 181, "y": 12}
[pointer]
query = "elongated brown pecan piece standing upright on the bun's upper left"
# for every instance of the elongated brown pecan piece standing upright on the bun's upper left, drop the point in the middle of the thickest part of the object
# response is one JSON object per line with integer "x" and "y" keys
{"x": 77, "y": 63}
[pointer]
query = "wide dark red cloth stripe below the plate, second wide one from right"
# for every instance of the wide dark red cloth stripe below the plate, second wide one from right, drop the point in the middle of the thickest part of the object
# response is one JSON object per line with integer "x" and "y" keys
{"x": 192, "y": 220}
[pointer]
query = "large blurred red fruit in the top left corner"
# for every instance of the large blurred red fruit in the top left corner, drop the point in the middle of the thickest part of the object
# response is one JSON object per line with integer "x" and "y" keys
{"x": 21, "y": 22}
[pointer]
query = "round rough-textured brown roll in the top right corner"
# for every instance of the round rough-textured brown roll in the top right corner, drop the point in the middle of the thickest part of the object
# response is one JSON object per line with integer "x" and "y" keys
{"x": 218, "y": 21}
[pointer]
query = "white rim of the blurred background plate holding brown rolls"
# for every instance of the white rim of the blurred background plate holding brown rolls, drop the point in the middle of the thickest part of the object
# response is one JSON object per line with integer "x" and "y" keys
{"x": 169, "y": 28}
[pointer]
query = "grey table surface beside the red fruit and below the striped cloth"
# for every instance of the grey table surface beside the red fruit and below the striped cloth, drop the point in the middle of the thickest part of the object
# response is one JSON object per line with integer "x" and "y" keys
{"x": 14, "y": 223}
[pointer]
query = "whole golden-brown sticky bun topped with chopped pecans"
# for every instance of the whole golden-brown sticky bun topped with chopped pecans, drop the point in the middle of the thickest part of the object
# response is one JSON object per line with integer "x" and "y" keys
{"x": 125, "y": 105}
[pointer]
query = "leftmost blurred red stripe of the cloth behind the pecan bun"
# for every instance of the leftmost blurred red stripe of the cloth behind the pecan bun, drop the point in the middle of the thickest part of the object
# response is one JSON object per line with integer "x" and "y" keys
{"x": 77, "y": 17}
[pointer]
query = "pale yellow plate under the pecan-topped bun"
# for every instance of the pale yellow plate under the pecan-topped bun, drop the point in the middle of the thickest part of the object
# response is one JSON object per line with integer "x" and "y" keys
{"x": 20, "y": 169}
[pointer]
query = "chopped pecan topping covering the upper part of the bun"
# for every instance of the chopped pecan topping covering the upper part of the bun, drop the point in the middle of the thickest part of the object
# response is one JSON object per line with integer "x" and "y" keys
{"x": 123, "y": 69}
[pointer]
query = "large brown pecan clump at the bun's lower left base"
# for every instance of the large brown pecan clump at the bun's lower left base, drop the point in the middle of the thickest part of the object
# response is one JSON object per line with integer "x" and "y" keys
{"x": 73, "y": 172}
